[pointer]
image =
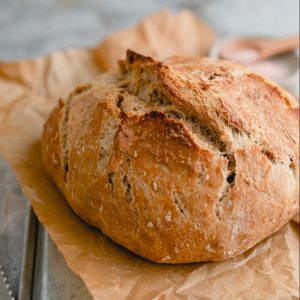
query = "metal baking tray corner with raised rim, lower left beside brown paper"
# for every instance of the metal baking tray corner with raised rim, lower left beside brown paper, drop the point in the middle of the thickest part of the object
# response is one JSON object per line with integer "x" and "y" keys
{"x": 45, "y": 274}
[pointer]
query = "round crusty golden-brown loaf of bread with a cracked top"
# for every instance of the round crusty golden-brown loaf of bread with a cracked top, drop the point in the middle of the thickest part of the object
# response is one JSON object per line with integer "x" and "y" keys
{"x": 187, "y": 160}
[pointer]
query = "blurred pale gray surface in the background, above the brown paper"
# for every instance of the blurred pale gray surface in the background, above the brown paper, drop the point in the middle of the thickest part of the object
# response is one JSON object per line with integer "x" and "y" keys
{"x": 35, "y": 27}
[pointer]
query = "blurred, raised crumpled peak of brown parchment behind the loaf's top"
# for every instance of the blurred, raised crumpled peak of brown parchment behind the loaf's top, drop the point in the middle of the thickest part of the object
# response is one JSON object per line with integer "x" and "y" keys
{"x": 160, "y": 36}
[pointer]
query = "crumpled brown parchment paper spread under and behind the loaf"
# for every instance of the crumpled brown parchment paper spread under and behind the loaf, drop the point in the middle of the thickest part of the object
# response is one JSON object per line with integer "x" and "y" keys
{"x": 30, "y": 89}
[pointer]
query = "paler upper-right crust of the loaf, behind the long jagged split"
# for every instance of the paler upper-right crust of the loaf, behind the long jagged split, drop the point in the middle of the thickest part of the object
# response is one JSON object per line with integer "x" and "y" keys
{"x": 243, "y": 105}
